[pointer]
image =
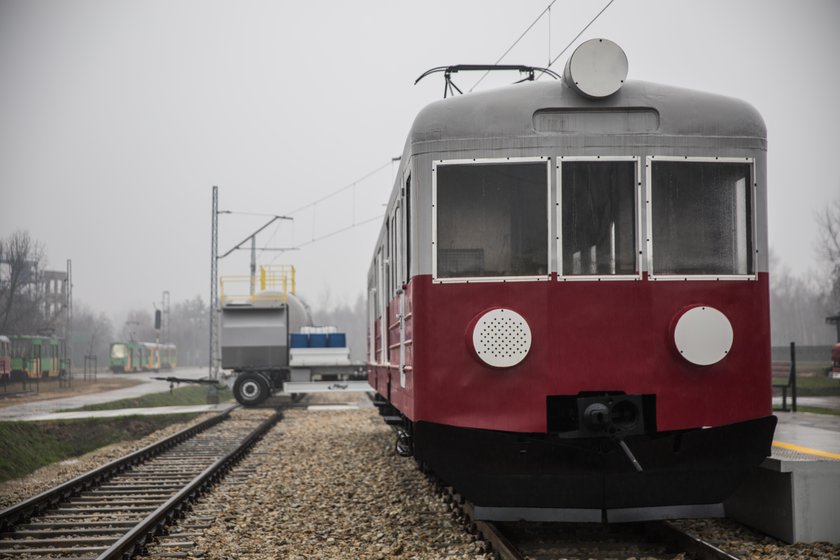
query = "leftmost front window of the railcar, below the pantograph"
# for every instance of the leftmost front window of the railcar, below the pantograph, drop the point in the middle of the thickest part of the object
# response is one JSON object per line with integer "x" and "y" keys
{"x": 492, "y": 219}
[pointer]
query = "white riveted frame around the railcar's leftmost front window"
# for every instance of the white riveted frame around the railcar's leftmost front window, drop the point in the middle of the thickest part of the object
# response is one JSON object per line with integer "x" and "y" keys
{"x": 492, "y": 161}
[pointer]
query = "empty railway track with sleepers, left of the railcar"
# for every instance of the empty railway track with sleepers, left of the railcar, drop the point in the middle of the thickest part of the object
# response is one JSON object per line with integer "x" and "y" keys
{"x": 114, "y": 511}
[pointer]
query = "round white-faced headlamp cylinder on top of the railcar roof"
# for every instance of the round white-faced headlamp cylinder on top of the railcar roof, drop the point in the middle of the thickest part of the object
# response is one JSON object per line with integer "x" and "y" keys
{"x": 596, "y": 69}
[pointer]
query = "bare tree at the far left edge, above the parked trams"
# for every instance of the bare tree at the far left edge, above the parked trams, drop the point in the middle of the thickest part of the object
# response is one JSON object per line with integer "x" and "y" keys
{"x": 21, "y": 259}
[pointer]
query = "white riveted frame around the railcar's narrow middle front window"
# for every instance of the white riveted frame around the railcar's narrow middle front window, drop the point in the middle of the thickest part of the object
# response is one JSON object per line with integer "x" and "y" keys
{"x": 637, "y": 213}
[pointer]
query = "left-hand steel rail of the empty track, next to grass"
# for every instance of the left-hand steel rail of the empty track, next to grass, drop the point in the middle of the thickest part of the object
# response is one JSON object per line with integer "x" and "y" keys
{"x": 50, "y": 498}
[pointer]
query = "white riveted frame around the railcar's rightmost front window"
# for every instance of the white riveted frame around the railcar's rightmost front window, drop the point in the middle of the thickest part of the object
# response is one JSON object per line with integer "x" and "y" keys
{"x": 753, "y": 228}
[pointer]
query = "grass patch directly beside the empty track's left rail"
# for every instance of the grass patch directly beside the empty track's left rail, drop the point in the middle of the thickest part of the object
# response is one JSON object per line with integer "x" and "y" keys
{"x": 28, "y": 446}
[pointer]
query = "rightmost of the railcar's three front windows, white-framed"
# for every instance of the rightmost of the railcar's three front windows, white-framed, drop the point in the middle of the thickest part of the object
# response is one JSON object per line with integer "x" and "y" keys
{"x": 701, "y": 217}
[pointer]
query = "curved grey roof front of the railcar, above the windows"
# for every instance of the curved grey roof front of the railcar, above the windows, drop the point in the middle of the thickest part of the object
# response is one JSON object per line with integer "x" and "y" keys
{"x": 510, "y": 112}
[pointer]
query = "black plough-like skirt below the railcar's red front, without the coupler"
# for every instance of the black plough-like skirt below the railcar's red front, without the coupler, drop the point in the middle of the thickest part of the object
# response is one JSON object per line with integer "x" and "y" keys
{"x": 508, "y": 470}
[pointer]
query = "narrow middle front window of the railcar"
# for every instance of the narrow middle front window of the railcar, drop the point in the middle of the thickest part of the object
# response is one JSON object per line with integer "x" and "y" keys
{"x": 598, "y": 217}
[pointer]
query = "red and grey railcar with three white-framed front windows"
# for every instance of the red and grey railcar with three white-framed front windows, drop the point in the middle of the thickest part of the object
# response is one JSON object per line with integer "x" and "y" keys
{"x": 568, "y": 300}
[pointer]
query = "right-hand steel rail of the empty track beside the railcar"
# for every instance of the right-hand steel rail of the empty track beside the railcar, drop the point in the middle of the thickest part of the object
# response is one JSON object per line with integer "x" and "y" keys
{"x": 133, "y": 541}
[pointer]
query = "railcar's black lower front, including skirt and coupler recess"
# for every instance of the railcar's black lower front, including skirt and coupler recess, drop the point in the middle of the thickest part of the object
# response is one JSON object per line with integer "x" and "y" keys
{"x": 602, "y": 454}
